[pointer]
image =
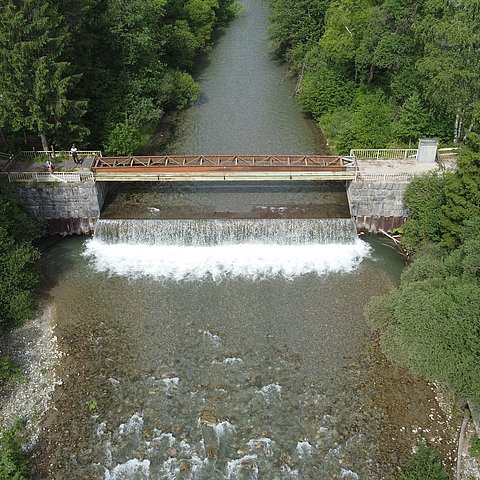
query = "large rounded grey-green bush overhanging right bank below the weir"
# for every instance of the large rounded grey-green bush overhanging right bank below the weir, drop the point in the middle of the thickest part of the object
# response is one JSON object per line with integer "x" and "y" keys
{"x": 430, "y": 323}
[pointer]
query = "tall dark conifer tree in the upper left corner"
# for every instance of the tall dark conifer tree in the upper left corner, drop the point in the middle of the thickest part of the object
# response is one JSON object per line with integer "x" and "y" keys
{"x": 35, "y": 80}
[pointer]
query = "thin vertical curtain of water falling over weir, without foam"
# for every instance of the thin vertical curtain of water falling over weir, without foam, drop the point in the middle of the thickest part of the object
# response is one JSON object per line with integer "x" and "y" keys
{"x": 210, "y": 232}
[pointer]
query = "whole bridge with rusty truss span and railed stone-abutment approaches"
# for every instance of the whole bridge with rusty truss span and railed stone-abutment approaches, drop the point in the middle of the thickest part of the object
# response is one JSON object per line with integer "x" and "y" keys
{"x": 363, "y": 164}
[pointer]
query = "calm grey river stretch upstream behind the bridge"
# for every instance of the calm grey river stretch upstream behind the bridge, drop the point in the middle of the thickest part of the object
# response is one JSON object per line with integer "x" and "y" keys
{"x": 247, "y": 103}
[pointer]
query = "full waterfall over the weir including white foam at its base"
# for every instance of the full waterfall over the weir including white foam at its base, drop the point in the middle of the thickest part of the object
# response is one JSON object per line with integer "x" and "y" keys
{"x": 217, "y": 249}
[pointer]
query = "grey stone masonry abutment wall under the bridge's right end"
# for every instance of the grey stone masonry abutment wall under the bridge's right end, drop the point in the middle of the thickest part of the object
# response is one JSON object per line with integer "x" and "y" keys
{"x": 377, "y": 204}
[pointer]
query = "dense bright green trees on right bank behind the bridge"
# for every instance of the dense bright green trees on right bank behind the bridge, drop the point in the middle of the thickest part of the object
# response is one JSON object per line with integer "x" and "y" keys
{"x": 415, "y": 63}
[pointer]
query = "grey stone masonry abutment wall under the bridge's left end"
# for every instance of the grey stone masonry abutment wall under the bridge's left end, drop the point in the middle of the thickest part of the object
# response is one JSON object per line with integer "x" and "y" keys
{"x": 68, "y": 208}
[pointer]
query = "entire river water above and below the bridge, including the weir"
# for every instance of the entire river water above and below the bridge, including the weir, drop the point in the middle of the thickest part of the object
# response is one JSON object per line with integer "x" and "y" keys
{"x": 216, "y": 331}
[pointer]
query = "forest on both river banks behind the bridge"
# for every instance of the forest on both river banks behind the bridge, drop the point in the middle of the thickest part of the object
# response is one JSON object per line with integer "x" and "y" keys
{"x": 102, "y": 73}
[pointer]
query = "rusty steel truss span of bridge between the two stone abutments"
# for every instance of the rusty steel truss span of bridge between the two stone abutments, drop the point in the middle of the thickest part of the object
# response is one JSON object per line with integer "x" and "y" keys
{"x": 223, "y": 167}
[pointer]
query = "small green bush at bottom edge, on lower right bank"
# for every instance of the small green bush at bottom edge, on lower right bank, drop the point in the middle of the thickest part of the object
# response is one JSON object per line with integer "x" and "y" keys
{"x": 425, "y": 464}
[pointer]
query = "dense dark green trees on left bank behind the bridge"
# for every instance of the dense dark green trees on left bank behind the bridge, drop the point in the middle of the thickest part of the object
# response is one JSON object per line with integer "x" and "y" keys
{"x": 99, "y": 71}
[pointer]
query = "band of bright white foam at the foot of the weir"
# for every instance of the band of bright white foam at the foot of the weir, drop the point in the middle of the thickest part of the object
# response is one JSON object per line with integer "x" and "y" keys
{"x": 252, "y": 261}
